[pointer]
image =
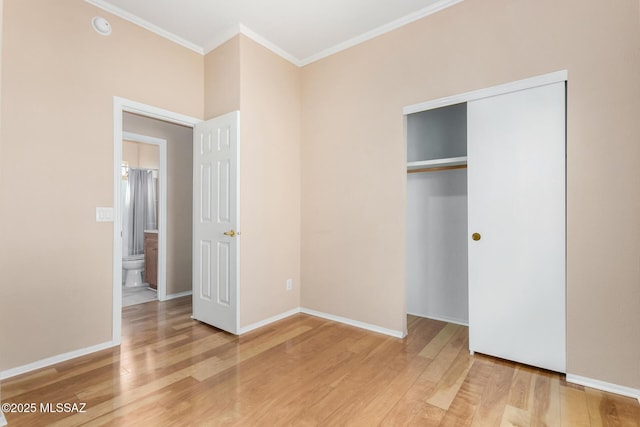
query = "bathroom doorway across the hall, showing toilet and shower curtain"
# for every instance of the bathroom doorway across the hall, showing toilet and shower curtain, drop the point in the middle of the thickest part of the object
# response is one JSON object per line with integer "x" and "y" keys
{"x": 143, "y": 196}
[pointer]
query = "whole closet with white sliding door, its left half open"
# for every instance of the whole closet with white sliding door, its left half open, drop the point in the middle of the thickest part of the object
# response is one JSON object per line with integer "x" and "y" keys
{"x": 490, "y": 238}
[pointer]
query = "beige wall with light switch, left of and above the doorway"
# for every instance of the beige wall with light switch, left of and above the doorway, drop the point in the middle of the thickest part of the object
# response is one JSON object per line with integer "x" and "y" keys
{"x": 58, "y": 79}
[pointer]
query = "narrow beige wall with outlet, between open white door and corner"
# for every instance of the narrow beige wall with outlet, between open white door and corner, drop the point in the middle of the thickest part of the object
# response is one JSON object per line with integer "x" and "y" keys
{"x": 270, "y": 101}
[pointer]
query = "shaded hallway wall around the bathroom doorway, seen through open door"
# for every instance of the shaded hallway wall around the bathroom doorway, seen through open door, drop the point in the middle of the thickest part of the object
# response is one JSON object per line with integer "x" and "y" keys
{"x": 179, "y": 194}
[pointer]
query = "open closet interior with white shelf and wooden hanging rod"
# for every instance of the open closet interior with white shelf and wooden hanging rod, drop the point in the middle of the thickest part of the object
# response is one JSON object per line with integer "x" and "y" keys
{"x": 437, "y": 214}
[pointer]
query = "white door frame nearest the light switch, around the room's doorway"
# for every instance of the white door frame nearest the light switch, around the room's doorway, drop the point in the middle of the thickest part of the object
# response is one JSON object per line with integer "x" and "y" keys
{"x": 121, "y": 105}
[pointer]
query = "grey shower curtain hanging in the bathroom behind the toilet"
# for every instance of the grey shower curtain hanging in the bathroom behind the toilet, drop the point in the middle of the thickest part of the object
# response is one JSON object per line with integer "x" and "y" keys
{"x": 139, "y": 210}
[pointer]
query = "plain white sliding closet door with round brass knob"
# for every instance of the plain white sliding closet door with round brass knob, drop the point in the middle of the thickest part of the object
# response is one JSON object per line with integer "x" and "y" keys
{"x": 516, "y": 185}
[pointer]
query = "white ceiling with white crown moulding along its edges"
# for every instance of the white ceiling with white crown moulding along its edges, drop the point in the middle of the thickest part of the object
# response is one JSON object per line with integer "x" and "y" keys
{"x": 301, "y": 31}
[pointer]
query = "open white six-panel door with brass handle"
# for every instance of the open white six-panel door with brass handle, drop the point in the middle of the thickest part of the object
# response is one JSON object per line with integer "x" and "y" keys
{"x": 215, "y": 222}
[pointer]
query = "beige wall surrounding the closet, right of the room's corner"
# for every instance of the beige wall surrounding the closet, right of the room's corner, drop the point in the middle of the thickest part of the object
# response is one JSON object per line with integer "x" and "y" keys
{"x": 353, "y": 192}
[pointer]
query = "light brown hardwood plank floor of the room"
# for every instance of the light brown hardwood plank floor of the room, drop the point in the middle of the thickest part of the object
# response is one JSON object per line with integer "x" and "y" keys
{"x": 302, "y": 371}
